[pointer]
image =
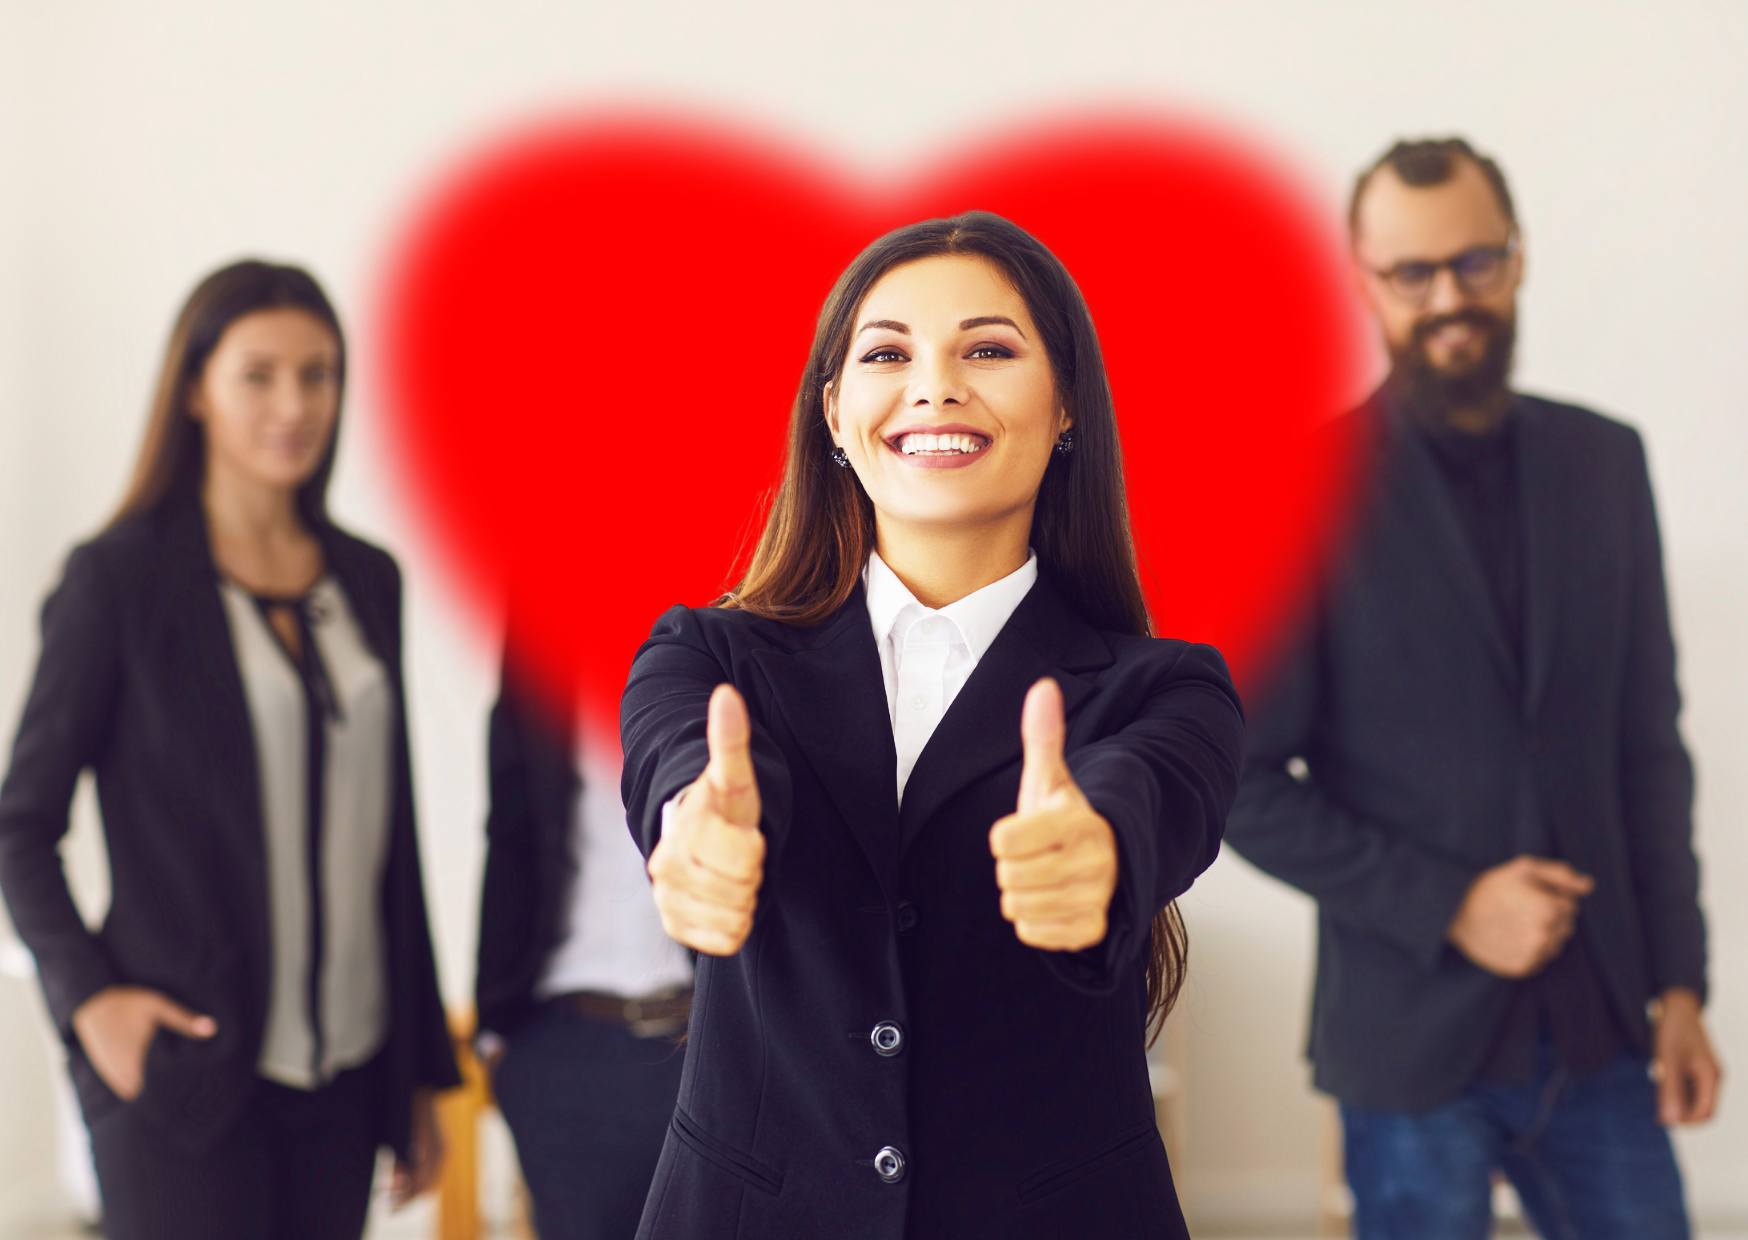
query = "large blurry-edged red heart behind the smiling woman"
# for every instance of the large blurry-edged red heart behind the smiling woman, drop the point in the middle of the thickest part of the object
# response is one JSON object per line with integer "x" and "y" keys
{"x": 593, "y": 335}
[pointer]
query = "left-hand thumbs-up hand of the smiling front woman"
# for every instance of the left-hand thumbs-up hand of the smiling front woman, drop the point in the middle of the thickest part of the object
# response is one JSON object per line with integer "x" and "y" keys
{"x": 711, "y": 860}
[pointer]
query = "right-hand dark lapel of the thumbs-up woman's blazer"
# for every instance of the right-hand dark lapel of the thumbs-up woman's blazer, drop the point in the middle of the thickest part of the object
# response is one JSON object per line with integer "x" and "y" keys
{"x": 982, "y": 730}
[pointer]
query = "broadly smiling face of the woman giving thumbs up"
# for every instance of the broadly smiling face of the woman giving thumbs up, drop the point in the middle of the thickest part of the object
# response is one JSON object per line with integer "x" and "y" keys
{"x": 947, "y": 401}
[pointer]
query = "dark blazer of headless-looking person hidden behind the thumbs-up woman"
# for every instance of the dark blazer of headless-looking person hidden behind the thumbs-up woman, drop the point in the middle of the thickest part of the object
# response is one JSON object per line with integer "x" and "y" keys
{"x": 531, "y": 854}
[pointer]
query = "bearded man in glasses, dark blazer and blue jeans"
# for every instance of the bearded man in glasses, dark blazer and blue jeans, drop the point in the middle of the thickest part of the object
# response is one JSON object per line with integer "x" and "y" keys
{"x": 1471, "y": 763}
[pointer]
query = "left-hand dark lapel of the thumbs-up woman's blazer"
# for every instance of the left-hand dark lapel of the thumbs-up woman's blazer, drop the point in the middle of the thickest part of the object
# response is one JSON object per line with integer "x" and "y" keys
{"x": 833, "y": 695}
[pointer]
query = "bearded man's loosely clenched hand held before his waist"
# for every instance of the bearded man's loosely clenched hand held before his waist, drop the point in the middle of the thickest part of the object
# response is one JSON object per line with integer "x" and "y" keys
{"x": 1518, "y": 917}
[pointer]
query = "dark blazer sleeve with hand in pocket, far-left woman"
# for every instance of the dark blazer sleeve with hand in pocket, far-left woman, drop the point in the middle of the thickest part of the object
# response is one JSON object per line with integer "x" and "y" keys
{"x": 64, "y": 730}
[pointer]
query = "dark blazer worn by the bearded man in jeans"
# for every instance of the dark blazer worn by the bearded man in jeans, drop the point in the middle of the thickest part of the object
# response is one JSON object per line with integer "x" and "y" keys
{"x": 1431, "y": 756}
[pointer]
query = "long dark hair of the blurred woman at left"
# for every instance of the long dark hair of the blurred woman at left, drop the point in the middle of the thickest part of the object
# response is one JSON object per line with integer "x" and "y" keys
{"x": 172, "y": 461}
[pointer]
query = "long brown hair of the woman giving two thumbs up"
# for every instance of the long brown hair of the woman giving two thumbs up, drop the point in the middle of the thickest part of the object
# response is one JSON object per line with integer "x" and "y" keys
{"x": 821, "y": 531}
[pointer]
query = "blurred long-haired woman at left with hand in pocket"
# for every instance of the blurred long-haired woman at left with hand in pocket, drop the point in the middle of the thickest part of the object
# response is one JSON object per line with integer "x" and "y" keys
{"x": 260, "y": 1010}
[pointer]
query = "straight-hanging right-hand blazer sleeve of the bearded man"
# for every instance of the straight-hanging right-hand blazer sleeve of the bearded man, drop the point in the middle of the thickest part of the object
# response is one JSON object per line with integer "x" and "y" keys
{"x": 1656, "y": 772}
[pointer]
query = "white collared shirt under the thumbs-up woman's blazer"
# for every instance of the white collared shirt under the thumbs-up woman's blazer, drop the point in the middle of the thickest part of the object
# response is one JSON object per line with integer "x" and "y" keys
{"x": 929, "y": 655}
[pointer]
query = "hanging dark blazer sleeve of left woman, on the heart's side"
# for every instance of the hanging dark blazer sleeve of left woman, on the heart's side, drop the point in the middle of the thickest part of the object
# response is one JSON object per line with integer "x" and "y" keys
{"x": 434, "y": 1055}
